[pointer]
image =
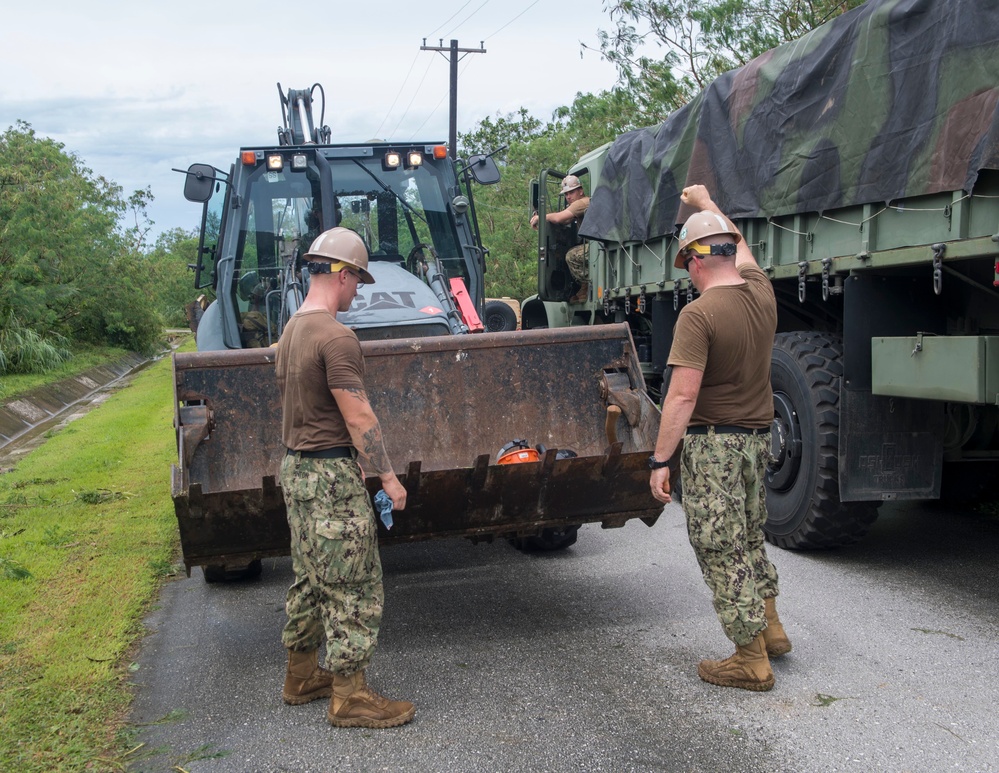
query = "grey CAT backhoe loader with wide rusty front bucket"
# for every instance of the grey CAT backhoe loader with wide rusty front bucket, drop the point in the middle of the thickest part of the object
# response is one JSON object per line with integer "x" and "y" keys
{"x": 449, "y": 396}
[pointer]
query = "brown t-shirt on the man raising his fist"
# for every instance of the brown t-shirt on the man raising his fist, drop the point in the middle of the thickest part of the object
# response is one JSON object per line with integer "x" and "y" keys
{"x": 728, "y": 334}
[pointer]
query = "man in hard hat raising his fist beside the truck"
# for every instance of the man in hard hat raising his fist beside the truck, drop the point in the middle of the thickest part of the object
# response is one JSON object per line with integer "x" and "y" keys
{"x": 720, "y": 405}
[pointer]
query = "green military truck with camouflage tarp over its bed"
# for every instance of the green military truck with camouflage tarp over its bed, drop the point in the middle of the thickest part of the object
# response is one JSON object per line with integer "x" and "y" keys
{"x": 861, "y": 163}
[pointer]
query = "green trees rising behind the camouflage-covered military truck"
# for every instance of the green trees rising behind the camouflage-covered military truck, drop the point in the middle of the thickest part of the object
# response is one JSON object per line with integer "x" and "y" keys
{"x": 665, "y": 51}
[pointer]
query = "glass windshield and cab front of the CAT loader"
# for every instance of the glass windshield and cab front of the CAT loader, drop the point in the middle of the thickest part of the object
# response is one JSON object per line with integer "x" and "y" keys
{"x": 283, "y": 199}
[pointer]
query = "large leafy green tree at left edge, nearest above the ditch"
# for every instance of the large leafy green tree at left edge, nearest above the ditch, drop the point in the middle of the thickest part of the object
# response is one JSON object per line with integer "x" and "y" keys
{"x": 66, "y": 265}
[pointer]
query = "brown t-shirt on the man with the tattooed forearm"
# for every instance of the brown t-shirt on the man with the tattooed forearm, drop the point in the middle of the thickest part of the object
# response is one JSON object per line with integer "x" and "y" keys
{"x": 314, "y": 355}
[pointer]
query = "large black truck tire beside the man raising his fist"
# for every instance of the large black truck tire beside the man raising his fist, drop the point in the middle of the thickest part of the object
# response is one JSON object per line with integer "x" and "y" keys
{"x": 803, "y": 507}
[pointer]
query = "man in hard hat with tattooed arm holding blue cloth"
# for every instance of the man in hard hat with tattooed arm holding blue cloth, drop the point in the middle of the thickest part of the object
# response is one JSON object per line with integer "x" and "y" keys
{"x": 327, "y": 423}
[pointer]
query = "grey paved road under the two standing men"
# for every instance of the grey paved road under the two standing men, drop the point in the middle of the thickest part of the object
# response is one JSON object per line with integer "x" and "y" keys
{"x": 586, "y": 661}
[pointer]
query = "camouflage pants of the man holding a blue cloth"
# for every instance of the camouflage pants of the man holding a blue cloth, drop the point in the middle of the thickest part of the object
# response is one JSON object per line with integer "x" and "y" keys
{"x": 337, "y": 595}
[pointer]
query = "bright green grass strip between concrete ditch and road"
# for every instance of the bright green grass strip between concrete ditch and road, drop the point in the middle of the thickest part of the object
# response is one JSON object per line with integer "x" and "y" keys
{"x": 87, "y": 534}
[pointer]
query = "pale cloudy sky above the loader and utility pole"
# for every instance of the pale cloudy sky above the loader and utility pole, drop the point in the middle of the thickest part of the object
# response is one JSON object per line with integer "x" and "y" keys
{"x": 135, "y": 88}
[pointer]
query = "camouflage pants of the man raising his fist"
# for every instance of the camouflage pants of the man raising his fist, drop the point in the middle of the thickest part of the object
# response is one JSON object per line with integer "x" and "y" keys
{"x": 724, "y": 499}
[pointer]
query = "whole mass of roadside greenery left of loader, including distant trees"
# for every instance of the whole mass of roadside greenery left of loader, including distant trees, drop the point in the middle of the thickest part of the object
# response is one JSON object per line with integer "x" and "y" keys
{"x": 72, "y": 275}
